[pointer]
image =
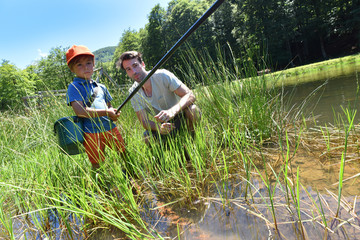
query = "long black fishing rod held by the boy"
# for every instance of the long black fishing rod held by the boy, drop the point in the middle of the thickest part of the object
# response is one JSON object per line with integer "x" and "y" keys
{"x": 173, "y": 49}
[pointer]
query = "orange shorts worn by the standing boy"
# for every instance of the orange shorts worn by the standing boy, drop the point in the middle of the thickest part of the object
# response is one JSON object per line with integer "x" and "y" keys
{"x": 95, "y": 144}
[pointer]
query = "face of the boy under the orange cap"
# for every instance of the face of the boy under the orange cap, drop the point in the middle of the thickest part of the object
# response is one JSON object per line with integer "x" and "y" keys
{"x": 83, "y": 67}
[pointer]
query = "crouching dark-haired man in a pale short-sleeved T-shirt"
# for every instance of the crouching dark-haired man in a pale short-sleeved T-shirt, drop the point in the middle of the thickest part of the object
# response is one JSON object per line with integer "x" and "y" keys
{"x": 163, "y": 96}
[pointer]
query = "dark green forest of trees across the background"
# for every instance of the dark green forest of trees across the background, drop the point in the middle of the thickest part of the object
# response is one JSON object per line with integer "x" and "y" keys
{"x": 280, "y": 34}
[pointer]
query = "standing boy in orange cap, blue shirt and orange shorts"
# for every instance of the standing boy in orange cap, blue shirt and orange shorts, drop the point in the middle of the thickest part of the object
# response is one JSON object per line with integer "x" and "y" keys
{"x": 91, "y": 101}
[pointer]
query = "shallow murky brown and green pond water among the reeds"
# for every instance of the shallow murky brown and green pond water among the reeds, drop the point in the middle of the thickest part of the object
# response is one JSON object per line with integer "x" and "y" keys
{"x": 214, "y": 218}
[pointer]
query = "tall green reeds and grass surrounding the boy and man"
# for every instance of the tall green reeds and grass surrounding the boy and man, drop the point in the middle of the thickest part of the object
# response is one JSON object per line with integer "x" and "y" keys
{"x": 239, "y": 116}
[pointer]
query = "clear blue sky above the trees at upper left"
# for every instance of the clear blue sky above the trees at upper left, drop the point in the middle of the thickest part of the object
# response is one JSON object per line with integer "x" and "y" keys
{"x": 30, "y": 28}
